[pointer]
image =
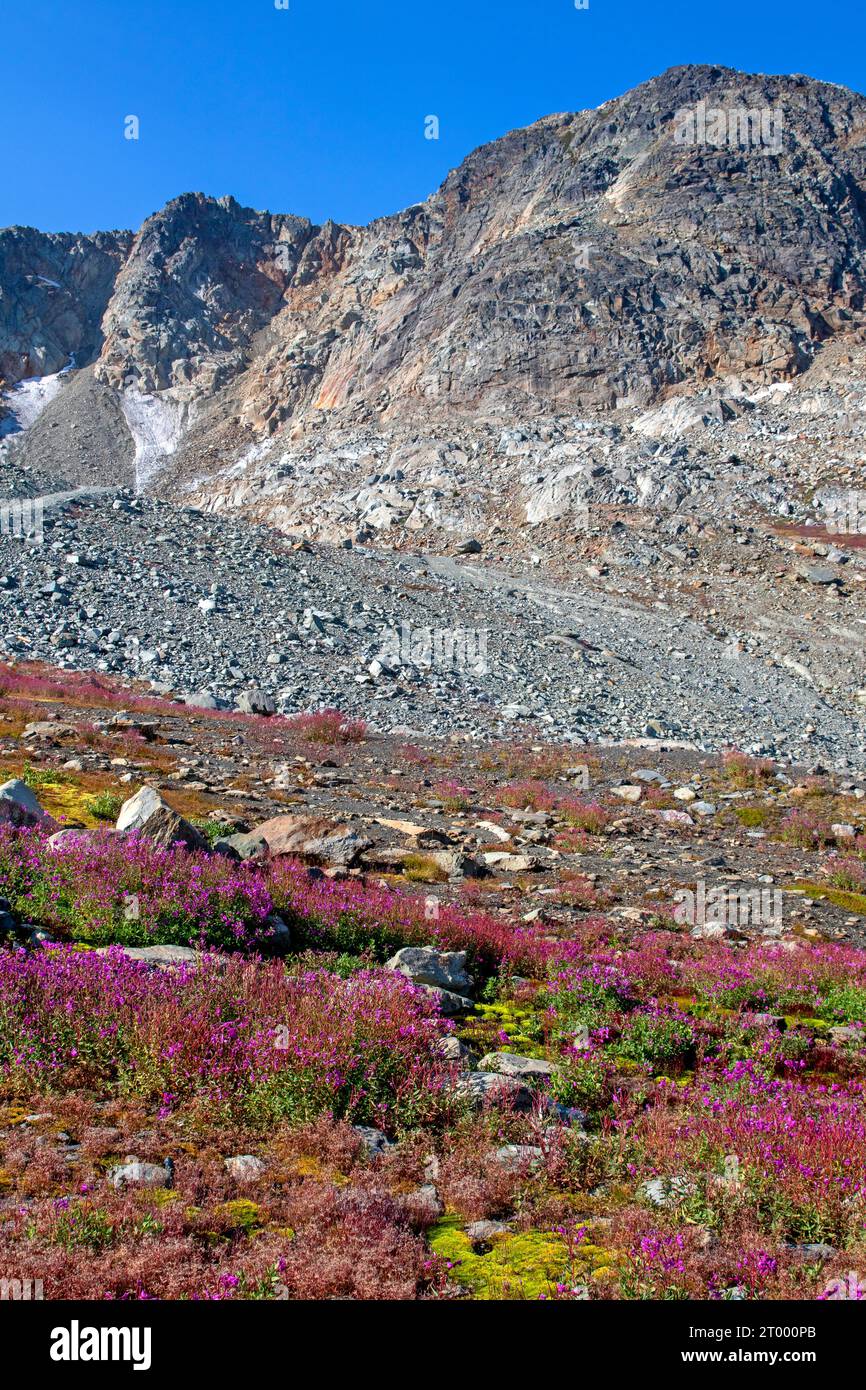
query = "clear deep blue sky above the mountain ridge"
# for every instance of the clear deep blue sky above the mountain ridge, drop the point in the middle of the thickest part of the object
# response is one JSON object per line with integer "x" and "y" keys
{"x": 320, "y": 109}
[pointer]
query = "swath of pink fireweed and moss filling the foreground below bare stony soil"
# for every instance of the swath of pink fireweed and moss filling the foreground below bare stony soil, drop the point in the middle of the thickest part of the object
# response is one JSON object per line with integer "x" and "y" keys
{"x": 701, "y": 1135}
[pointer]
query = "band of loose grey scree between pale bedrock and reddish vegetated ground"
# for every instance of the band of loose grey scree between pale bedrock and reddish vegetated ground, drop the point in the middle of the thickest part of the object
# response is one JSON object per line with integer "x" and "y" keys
{"x": 213, "y": 608}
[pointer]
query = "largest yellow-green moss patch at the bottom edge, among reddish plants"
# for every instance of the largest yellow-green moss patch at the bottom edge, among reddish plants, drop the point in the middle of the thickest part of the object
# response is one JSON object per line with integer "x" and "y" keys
{"x": 522, "y": 1266}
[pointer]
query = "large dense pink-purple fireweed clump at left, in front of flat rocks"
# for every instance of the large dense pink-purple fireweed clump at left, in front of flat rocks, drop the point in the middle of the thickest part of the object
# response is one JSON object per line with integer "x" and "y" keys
{"x": 236, "y": 1038}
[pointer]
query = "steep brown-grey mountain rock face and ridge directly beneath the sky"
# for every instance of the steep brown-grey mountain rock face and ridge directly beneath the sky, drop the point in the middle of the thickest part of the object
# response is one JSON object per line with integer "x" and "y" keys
{"x": 590, "y": 262}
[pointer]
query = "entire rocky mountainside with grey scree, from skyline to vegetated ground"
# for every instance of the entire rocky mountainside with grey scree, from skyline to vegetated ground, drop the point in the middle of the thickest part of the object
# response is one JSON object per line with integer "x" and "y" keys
{"x": 583, "y": 419}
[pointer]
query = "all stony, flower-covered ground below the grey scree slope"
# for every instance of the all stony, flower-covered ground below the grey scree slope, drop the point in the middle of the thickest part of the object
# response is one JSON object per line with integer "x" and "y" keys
{"x": 562, "y": 1149}
